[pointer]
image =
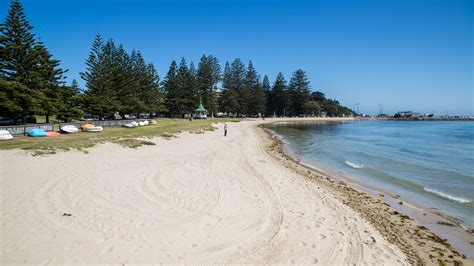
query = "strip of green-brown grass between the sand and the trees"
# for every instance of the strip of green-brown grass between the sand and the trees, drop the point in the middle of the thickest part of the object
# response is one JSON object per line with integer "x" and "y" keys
{"x": 127, "y": 137}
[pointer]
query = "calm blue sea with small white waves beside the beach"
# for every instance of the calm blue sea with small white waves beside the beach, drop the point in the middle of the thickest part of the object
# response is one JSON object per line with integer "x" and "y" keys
{"x": 428, "y": 163}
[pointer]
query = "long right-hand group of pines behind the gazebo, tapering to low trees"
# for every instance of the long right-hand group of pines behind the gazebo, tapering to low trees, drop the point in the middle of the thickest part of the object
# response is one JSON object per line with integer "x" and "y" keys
{"x": 243, "y": 92}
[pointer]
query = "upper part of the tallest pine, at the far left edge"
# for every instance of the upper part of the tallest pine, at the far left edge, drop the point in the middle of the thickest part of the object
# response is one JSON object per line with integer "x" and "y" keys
{"x": 17, "y": 46}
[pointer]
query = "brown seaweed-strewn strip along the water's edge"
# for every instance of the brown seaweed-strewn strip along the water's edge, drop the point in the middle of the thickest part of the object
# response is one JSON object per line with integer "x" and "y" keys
{"x": 387, "y": 205}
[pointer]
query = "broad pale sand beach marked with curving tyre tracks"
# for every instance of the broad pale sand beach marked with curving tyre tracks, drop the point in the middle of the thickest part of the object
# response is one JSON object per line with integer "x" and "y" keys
{"x": 200, "y": 198}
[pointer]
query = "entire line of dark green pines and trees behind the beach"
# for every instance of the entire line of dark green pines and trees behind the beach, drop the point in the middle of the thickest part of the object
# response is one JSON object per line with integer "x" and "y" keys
{"x": 121, "y": 82}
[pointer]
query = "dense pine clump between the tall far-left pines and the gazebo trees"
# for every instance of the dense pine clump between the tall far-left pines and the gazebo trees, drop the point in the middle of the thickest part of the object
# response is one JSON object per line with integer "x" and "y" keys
{"x": 120, "y": 82}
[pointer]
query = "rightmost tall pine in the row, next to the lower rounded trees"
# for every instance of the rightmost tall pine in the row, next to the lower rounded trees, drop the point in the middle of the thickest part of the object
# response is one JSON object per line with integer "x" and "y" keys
{"x": 299, "y": 93}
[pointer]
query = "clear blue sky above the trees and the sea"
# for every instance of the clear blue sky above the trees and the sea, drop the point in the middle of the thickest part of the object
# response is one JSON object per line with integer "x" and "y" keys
{"x": 406, "y": 55}
